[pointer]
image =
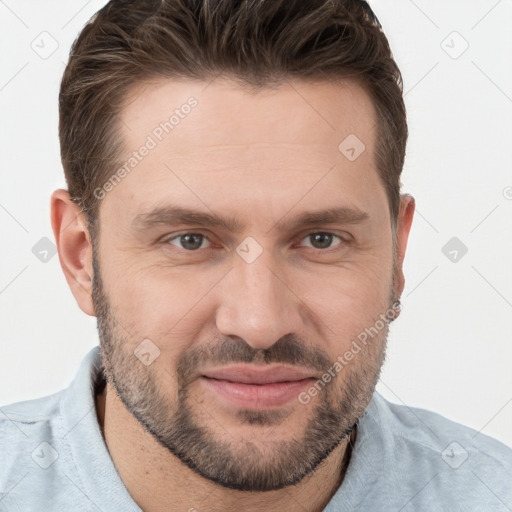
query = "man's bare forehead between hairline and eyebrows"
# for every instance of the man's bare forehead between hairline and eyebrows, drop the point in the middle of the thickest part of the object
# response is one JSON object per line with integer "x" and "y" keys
{"x": 209, "y": 140}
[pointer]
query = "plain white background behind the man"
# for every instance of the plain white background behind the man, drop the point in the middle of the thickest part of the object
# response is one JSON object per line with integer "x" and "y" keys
{"x": 451, "y": 349}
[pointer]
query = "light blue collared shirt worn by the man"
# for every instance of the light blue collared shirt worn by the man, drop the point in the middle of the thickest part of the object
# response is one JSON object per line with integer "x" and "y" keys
{"x": 53, "y": 458}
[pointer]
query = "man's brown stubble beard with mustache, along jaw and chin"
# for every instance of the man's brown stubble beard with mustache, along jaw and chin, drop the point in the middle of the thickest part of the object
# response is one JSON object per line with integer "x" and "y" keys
{"x": 242, "y": 464}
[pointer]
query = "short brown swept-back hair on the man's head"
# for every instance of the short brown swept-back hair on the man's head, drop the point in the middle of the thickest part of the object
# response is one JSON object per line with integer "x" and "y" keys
{"x": 257, "y": 43}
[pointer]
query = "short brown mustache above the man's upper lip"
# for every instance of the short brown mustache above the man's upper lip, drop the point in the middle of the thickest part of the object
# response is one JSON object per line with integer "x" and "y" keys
{"x": 289, "y": 349}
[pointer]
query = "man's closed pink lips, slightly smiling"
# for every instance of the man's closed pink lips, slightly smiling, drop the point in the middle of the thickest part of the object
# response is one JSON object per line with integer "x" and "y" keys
{"x": 253, "y": 388}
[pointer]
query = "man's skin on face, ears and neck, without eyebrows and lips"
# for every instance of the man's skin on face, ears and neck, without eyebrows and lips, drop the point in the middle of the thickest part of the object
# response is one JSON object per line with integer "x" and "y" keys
{"x": 244, "y": 156}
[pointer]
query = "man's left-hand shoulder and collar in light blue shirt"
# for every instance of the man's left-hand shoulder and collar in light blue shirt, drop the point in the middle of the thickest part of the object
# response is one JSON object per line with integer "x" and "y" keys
{"x": 52, "y": 453}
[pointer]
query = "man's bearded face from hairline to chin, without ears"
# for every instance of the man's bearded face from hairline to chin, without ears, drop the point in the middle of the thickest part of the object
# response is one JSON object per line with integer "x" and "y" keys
{"x": 244, "y": 244}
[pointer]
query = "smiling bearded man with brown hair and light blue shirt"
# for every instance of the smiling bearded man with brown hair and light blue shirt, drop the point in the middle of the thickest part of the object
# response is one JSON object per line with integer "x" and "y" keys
{"x": 235, "y": 223}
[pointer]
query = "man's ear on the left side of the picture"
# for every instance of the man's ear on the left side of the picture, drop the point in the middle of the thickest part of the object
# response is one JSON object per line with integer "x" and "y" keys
{"x": 74, "y": 246}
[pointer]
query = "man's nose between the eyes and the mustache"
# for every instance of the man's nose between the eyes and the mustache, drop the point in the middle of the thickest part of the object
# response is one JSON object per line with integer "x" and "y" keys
{"x": 257, "y": 302}
